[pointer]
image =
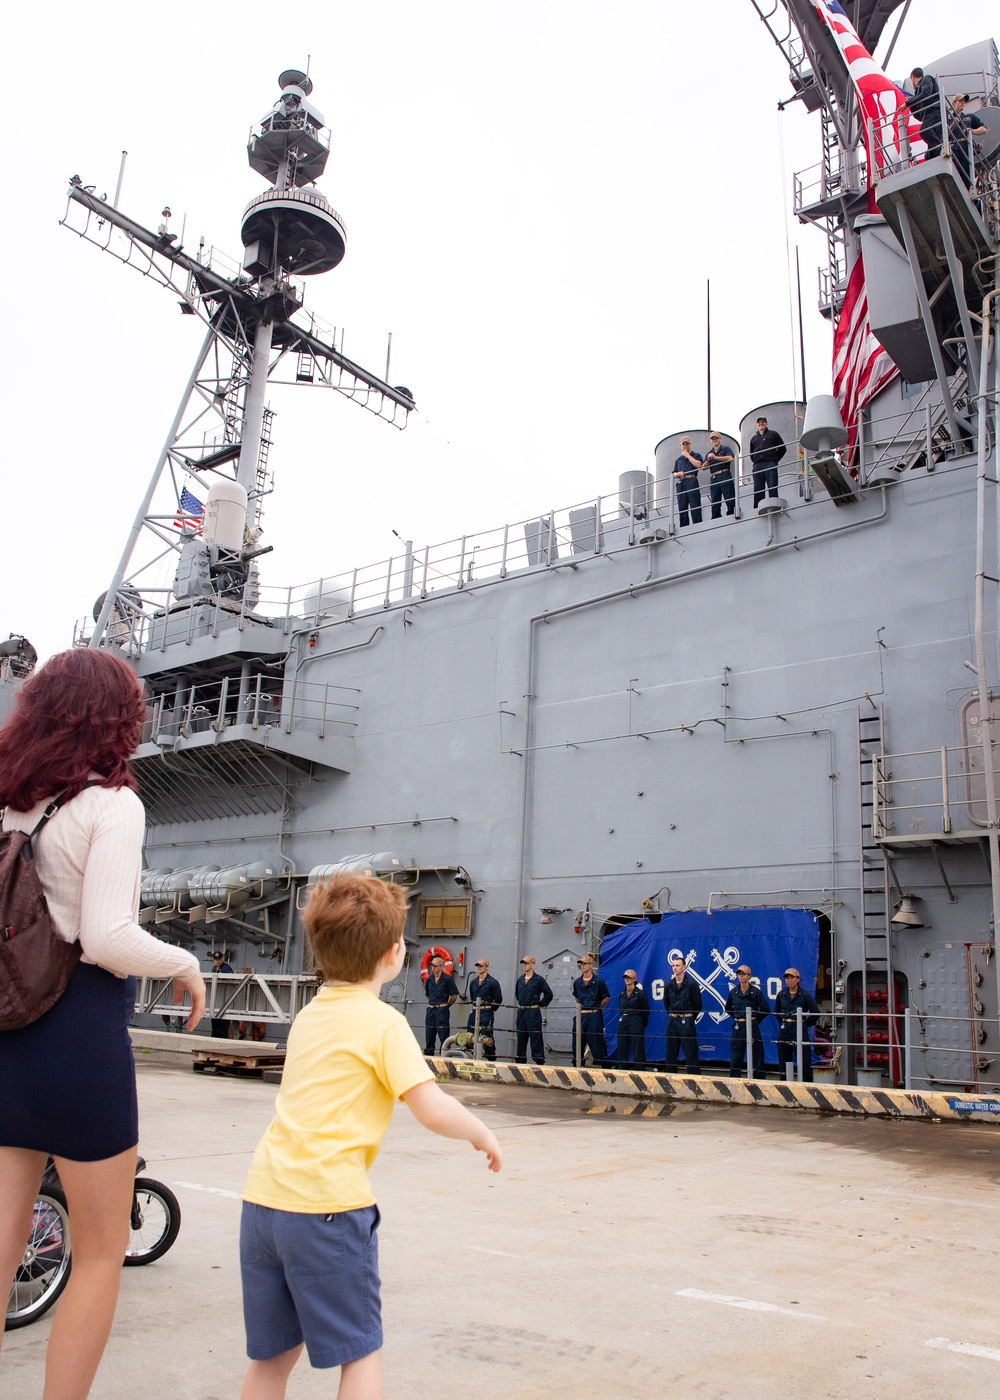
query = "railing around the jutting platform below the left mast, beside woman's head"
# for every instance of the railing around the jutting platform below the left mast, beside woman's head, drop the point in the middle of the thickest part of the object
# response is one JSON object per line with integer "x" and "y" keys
{"x": 260, "y": 702}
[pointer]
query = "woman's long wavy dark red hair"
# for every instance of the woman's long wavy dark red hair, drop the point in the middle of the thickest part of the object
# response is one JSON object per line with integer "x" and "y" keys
{"x": 82, "y": 713}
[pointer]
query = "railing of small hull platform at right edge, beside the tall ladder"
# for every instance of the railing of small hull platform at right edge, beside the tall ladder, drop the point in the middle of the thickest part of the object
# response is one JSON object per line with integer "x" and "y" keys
{"x": 929, "y": 793}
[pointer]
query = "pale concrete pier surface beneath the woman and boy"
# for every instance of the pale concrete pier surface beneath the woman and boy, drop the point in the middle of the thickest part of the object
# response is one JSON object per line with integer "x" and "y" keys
{"x": 628, "y": 1251}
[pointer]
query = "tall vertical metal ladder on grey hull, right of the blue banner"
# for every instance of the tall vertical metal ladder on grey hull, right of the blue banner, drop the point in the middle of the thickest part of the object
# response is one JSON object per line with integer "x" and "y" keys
{"x": 879, "y": 1011}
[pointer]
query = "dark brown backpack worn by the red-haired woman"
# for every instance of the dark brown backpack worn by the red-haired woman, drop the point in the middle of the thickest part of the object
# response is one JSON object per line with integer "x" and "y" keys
{"x": 36, "y": 964}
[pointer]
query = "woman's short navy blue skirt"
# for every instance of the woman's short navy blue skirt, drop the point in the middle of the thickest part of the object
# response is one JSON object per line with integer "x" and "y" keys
{"x": 68, "y": 1081}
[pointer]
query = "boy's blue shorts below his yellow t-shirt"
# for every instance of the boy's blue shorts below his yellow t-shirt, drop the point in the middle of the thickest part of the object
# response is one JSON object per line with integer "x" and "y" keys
{"x": 312, "y": 1279}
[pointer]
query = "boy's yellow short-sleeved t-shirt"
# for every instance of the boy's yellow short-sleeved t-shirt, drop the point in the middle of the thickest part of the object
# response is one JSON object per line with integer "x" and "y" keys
{"x": 351, "y": 1056}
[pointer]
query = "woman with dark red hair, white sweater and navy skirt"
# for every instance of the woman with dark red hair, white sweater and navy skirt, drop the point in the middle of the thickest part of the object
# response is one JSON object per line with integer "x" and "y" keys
{"x": 68, "y": 1080}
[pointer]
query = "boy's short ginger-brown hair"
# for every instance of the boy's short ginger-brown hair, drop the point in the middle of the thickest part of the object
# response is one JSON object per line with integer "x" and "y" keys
{"x": 352, "y": 922}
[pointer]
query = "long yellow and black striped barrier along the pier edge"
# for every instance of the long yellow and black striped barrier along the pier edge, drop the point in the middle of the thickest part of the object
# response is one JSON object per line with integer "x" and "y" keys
{"x": 778, "y": 1094}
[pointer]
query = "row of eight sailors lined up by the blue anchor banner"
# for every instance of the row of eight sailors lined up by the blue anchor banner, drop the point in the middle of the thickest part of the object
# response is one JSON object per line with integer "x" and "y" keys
{"x": 683, "y": 1002}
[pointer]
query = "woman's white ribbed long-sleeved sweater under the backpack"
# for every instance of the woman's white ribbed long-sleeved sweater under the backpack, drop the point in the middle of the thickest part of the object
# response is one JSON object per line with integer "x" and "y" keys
{"x": 89, "y": 860}
